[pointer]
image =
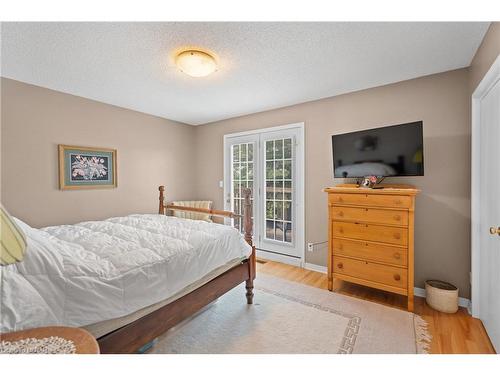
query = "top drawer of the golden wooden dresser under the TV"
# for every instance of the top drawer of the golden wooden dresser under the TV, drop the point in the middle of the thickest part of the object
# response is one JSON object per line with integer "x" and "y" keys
{"x": 376, "y": 200}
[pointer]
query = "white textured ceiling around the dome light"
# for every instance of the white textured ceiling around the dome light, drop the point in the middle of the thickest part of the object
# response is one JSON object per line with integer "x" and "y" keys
{"x": 262, "y": 65}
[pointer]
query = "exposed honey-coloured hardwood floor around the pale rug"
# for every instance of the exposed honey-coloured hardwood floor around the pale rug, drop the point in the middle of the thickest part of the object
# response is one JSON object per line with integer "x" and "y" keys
{"x": 452, "y": 333}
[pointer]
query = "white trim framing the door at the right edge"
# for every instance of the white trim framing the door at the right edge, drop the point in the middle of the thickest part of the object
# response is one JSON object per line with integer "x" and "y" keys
{"x": 482, "y": 89}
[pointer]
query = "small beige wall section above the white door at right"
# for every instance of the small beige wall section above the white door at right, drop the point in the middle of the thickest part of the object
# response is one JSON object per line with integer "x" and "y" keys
{"x": 485, "y": 55}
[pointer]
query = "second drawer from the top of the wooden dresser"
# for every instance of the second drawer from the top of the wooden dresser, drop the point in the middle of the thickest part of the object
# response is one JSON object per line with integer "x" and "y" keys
{"x": 370, "y": 215}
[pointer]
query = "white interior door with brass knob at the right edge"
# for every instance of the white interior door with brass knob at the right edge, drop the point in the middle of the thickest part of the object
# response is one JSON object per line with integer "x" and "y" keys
{"x": 490, "y": 212}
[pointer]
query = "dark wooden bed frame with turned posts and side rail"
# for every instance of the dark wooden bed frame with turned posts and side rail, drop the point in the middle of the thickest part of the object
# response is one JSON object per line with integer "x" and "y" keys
{"x": 131, "y": 337}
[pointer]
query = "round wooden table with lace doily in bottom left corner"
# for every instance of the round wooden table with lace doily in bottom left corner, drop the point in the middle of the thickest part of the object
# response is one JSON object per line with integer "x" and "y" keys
{"x": 49, "y": 340}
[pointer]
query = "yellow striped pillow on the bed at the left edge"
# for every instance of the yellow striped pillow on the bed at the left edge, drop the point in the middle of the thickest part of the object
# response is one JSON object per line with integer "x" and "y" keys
{"x": 12, "y": 240}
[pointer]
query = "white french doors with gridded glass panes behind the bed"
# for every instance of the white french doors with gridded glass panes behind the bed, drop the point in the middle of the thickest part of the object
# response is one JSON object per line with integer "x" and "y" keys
{"x": 270, "y": 162}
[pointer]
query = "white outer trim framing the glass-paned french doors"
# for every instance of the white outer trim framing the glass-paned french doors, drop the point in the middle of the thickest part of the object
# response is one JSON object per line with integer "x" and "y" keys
{"x": 300, "y": 160}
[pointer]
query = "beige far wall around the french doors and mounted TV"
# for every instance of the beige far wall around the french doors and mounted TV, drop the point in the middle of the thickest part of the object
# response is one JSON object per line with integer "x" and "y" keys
{"x": 442, "y": 215}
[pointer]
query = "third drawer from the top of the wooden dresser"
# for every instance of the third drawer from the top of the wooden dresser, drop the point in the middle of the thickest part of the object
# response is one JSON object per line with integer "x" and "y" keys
{"x": 371, "y": 232}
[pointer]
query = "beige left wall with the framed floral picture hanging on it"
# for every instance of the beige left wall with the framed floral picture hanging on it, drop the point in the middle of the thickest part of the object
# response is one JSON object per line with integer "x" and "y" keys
{"x": 151, "y": 151}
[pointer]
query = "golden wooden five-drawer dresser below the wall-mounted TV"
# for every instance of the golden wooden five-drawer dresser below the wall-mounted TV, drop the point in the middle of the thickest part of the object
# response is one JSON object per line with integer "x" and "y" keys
{"x": 370, "y": 239}
